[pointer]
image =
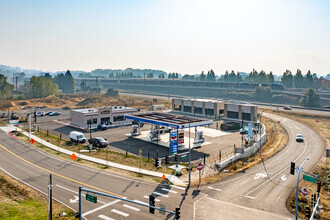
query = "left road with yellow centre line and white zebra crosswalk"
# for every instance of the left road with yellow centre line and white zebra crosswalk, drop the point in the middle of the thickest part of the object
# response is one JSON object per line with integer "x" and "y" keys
{"x": 33, "y": 167}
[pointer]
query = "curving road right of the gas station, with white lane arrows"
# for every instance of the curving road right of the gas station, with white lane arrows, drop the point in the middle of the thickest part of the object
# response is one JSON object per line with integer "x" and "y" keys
{"x": 262, "y": 190}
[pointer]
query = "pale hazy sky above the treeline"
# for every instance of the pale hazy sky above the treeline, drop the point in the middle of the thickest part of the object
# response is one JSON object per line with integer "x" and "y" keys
{"x": 171, "y": 35}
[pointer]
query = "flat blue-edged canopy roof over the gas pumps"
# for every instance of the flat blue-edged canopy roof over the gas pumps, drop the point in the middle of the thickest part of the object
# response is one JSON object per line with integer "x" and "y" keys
{"x": 169, "y": 120}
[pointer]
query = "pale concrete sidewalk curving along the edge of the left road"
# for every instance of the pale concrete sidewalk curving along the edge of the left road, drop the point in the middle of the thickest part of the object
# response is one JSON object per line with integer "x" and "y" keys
{"x": 173, "y": 179}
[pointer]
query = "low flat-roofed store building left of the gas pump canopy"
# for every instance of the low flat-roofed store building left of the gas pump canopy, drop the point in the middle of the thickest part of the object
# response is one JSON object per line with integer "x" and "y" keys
{"x": 109, "y": 116}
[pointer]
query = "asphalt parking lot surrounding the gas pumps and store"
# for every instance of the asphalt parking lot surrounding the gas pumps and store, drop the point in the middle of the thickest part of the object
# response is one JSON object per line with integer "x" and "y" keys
{"x": 119, "y": 141}
